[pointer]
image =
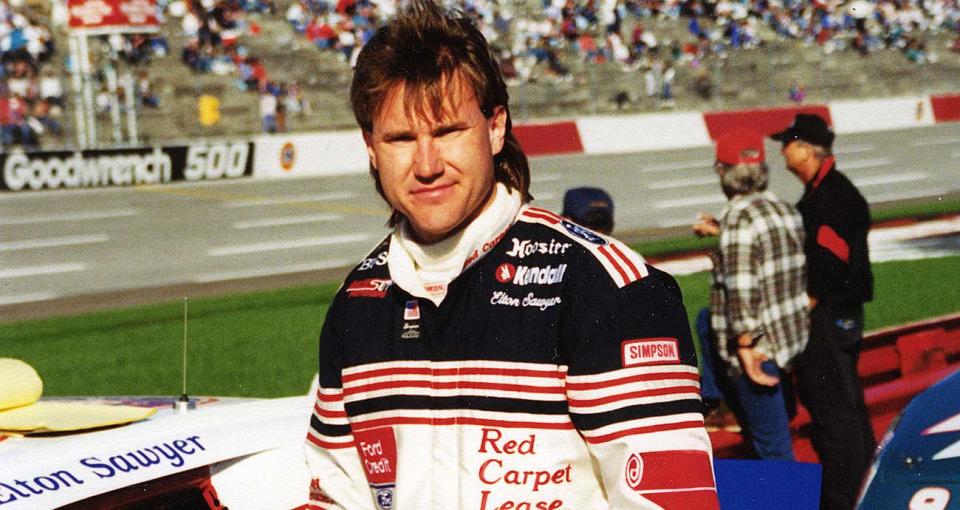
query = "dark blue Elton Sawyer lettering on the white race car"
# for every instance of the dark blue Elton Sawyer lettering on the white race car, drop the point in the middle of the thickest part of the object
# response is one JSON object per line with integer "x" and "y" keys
{"x": 172, "y": 454}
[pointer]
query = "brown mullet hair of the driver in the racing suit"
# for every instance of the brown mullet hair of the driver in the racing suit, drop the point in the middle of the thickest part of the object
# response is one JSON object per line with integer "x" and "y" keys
{"x": 425, "y": 48}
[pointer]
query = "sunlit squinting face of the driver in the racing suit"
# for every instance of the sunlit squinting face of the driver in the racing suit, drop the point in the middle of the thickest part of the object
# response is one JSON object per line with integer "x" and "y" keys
{"x": 437, "y": 172}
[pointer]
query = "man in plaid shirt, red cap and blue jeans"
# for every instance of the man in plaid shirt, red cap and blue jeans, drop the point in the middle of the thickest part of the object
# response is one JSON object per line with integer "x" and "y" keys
{"x": 758, "y": 301}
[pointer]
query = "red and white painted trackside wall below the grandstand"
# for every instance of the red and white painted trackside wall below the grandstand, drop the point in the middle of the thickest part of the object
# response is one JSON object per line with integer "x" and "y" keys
{"x": 343, "y": 152}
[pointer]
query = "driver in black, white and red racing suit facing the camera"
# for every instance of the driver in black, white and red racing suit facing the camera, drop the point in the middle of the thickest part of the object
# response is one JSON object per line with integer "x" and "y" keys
{"x": 489, "y": 354}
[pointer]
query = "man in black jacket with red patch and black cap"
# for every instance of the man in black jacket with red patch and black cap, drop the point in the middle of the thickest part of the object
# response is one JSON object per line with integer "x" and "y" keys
{"x": 836, "y": 220}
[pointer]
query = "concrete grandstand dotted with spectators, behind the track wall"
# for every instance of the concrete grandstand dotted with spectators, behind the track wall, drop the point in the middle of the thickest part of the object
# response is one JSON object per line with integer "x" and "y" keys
{"x": 735, "y": 55}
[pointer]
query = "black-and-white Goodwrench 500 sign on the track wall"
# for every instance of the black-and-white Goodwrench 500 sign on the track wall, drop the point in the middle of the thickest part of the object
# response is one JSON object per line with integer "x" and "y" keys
{"x": 125, "y": 167}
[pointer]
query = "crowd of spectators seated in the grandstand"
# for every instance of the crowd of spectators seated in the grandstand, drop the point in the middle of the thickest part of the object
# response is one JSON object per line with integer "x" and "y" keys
{"x": 542, "y": 45}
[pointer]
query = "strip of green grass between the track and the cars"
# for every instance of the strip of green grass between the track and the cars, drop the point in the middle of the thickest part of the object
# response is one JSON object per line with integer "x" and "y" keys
{"x": 265, "y": 344}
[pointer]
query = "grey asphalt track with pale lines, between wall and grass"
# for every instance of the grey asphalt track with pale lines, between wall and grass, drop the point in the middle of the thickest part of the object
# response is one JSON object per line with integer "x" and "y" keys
{"x": 82, "y": 249}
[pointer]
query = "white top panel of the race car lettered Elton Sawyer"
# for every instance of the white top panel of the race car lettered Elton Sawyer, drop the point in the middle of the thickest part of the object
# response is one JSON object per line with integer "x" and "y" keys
{"x": 54, "y": 470}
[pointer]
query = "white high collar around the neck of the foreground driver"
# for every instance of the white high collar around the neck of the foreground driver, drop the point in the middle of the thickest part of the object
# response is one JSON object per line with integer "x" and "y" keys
{"x": 425, "y": 271}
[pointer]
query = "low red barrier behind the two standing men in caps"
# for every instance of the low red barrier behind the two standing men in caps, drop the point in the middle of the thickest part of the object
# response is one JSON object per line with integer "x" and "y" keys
{"x": 896, "y": 364}
